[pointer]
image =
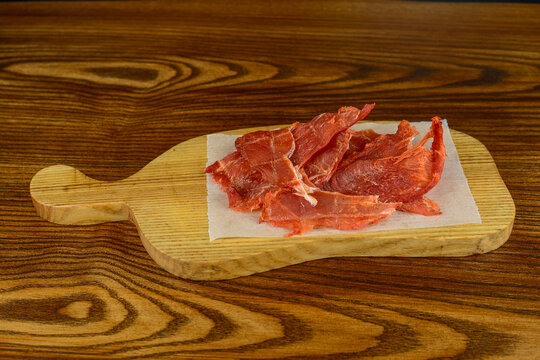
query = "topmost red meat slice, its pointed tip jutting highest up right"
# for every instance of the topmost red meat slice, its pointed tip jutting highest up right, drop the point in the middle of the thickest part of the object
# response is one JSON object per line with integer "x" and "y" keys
{"x": 317, "y": 133}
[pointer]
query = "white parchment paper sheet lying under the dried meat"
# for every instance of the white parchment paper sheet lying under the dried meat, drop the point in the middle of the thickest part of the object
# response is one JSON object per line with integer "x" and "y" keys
{"x": 452, "y": 194}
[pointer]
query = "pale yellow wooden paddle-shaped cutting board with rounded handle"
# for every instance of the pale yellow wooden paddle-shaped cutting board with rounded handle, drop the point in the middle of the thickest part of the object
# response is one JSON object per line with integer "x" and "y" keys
{"x": 166, "y": 200}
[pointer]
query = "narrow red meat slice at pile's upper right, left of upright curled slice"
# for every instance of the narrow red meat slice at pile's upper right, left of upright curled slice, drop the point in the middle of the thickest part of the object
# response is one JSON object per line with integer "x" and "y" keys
{"x": 385, "y": 145}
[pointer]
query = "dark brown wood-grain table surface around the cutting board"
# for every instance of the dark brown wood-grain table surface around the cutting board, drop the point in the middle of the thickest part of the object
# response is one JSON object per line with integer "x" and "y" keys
{"x": 108, "y": 86}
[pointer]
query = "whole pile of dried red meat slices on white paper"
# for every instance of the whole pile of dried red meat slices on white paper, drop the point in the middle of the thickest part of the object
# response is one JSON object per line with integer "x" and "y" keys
{"x": 322, "y": 173}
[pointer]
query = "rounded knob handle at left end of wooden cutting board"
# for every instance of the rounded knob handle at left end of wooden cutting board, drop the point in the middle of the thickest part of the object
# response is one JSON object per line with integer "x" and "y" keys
{"x": 64, "y": 195}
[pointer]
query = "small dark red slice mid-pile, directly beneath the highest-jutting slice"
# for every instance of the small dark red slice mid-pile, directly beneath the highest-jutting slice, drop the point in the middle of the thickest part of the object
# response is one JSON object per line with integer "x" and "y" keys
{"x": 324, "y": 163}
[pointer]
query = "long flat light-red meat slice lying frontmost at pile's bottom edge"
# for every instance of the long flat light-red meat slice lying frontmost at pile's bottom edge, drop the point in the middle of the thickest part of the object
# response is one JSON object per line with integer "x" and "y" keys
{"x": 339, "y": 211}
